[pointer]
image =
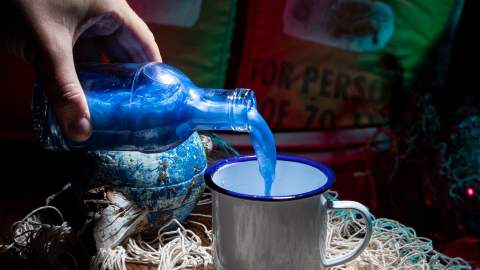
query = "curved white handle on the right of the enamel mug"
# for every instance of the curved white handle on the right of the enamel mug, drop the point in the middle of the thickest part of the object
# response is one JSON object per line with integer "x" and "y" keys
{"x": 351, "y": 205}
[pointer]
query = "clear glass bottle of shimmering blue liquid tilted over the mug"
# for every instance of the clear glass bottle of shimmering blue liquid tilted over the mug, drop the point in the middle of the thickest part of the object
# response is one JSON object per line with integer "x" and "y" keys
{"x": 148, "y": 107}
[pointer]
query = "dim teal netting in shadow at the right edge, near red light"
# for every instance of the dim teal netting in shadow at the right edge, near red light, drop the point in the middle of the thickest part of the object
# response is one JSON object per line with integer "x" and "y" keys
{"x": 439, "y": 140}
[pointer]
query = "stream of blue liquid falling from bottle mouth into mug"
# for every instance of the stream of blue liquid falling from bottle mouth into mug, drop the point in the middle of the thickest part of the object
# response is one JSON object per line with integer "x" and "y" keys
{"x": 264, "y": 145}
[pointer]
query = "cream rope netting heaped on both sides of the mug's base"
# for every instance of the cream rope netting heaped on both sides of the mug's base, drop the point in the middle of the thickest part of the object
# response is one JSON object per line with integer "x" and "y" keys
{"x": 393, "y": 246}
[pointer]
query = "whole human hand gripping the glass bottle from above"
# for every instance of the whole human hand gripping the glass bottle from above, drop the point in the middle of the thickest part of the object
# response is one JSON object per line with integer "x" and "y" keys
{"x": 45, "y": 32}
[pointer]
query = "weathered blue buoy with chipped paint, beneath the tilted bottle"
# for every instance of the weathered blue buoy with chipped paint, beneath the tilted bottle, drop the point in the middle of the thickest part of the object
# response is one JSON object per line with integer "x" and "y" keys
{"x": 167, "y": 184}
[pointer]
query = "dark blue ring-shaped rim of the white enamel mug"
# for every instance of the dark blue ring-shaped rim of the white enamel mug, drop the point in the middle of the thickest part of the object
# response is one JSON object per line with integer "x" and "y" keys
{"x": 212, "y": 169}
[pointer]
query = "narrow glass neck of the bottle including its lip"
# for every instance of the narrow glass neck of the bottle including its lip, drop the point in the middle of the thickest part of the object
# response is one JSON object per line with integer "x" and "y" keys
{"x": 221, "y": 109}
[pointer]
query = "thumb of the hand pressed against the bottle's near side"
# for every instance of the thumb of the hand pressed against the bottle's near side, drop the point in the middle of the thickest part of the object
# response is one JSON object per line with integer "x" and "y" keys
{"x": 65, "y": 93}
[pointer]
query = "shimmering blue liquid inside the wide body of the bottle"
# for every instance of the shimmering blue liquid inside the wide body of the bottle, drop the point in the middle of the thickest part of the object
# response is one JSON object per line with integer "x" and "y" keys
{"x": 142, "y": 122}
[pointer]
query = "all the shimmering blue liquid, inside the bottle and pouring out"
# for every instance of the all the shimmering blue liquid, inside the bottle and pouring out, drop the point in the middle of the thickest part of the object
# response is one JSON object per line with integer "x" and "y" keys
{"x": 115, "y": 116}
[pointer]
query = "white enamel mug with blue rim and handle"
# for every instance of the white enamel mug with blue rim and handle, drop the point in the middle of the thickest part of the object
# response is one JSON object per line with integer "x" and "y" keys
{"x": 284, "y": 231}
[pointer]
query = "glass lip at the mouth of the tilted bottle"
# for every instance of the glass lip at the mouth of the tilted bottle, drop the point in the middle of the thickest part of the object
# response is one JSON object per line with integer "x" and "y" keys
{"x": 242, "y": 100}
